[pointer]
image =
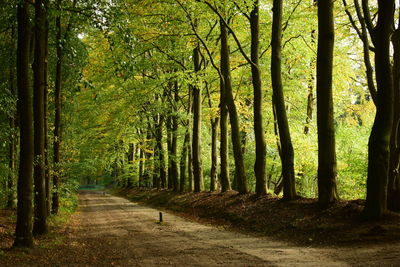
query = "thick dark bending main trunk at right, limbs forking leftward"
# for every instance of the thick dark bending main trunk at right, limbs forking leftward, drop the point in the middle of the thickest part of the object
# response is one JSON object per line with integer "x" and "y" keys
{"x": 379, "y": 141}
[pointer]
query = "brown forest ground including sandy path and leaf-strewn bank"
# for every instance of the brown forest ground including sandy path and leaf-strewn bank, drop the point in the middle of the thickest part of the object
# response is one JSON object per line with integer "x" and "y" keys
{"x": 208, "y": 229}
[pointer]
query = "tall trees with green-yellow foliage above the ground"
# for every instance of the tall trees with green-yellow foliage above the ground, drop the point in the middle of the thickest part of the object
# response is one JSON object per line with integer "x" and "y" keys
{"x": 280, "y": 99}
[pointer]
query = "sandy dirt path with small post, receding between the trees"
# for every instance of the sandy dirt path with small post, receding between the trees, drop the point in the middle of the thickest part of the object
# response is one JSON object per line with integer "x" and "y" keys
{"x": 111, "y": 231}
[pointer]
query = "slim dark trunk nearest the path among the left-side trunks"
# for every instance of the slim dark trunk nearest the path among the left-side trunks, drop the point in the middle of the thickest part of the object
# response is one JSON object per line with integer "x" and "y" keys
{"x": 57, "y": 119}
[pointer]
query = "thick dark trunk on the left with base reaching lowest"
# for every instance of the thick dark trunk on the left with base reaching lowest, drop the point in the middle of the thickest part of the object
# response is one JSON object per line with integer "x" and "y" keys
{"x": 23, "y": 232}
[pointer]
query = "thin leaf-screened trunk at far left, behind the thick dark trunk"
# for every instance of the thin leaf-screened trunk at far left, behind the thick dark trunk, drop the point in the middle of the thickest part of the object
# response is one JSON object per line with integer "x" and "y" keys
{"x": 13, "y": 127}
